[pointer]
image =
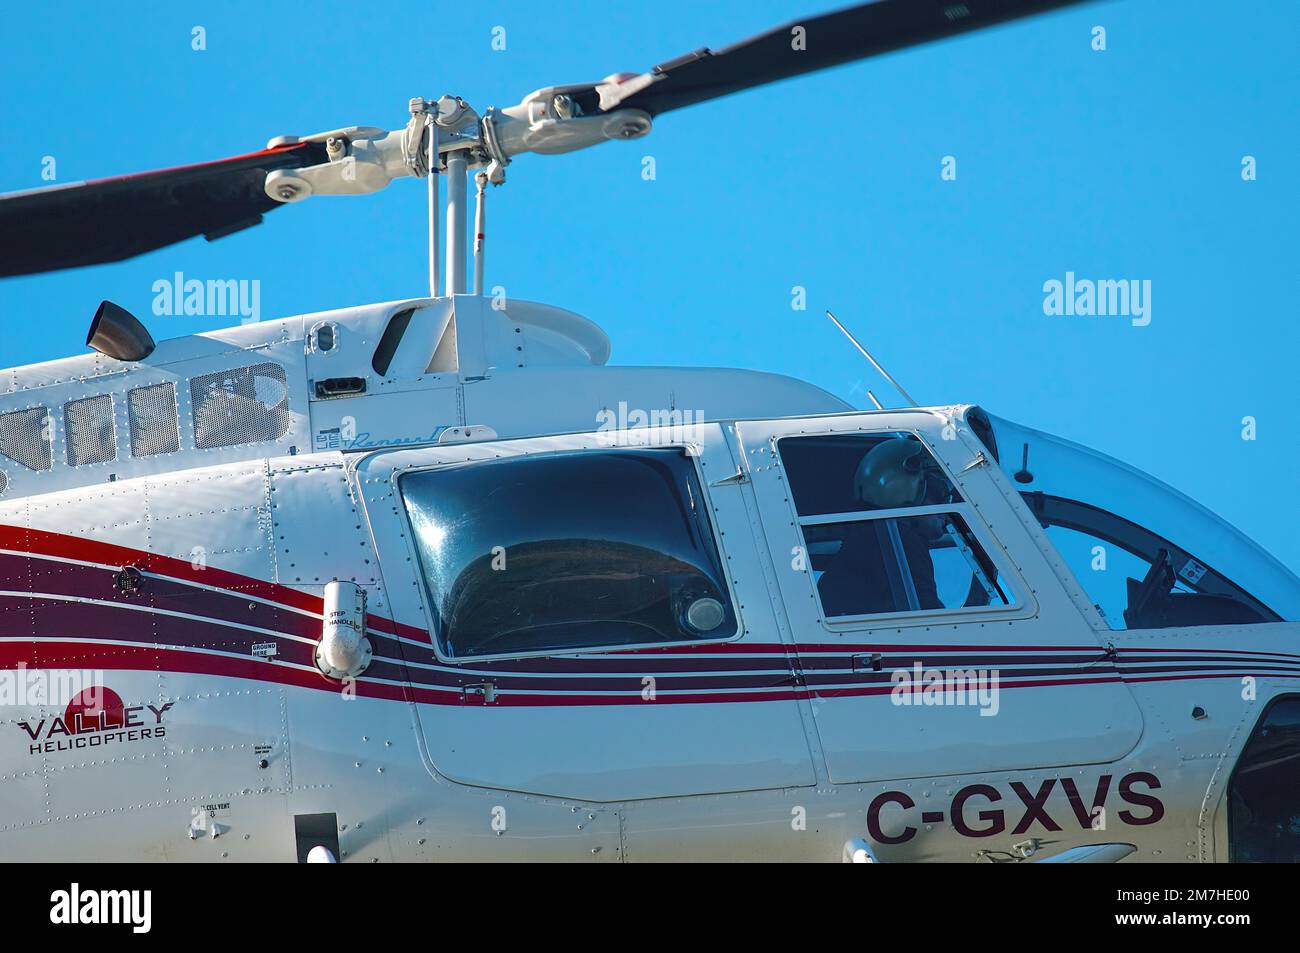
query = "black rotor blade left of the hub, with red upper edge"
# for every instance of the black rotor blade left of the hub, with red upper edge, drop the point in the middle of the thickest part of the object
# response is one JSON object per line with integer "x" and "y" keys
{"x": 115, "y": 219}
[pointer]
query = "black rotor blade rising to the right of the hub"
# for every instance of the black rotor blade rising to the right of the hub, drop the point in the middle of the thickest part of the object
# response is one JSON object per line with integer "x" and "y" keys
{"x": 809, "y": 45}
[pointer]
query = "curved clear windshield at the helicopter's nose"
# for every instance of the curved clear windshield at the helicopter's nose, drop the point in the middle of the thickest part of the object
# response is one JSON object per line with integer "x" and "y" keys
{"x": 1097, "y": 509}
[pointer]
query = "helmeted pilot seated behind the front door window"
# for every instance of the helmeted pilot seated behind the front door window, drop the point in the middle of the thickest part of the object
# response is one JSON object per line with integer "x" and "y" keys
{"x": 898, "y": 473}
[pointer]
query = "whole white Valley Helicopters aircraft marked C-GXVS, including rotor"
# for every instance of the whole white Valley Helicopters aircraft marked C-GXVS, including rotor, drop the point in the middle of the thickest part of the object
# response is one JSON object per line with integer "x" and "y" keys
{"x": 426, "y": 581}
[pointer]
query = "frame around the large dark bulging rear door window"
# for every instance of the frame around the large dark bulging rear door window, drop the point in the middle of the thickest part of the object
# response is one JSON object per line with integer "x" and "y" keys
{"x": 691, "y": 452}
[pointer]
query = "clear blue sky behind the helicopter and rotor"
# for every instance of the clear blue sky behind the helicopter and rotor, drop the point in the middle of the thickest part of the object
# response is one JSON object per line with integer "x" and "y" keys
{"x": 1124, "y": 164}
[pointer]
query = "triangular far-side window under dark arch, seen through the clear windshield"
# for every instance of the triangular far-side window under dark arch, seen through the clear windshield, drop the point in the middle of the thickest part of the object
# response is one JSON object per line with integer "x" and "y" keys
{"x": 1137, "y": 579}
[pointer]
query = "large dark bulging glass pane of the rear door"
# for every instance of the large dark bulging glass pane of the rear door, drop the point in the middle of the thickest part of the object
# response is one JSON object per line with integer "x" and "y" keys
{"x": 569, "y": 552}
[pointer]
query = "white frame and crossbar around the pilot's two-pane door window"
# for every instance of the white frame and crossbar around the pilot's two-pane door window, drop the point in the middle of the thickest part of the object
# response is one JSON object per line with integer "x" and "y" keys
{"x": 1013, "y": 586}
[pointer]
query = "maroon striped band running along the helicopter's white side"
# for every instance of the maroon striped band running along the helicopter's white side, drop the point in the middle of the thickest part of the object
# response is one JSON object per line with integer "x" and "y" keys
{"x": 674, "y": 668}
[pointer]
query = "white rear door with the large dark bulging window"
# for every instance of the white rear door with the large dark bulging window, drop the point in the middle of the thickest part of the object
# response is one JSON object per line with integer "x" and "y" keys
{"x": 600, "y": 618}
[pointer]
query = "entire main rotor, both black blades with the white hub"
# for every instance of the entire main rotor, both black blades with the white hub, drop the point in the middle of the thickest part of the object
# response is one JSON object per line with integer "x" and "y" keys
{"x": 68, "y": 227}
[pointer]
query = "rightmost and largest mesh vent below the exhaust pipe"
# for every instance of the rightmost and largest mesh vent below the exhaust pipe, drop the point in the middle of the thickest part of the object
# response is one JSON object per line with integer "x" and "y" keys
{"x": 241, "y": 406}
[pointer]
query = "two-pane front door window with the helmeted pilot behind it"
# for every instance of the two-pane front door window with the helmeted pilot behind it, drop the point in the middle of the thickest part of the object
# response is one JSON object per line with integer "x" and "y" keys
{"x": 885, "y": 530}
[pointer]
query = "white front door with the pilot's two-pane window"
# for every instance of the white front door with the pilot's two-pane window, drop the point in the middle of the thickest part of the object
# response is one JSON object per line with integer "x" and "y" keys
{"x": 933, "y": 636}
